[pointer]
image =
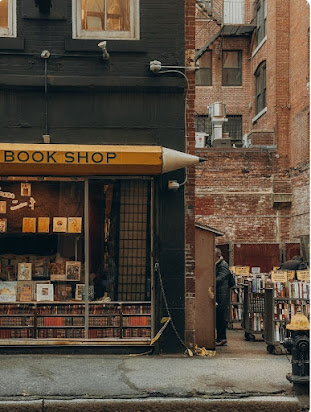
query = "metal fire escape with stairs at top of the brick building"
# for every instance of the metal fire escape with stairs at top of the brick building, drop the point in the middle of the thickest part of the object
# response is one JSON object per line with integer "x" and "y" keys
{"x": 230, "y": 17}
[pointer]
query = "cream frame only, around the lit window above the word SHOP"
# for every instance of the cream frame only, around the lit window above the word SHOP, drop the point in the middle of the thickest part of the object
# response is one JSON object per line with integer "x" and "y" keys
{"x": 79, "y": 33}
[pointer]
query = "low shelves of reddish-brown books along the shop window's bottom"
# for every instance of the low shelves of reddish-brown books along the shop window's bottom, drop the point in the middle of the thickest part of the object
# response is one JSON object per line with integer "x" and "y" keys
{"x": 66, "y": 320}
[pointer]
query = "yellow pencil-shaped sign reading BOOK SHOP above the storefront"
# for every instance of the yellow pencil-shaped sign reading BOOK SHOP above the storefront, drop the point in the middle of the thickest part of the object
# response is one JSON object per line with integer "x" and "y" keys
{"x": 89, "y": 160}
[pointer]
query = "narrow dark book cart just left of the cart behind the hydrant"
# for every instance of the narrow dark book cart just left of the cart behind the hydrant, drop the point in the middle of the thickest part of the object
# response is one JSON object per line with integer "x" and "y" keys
{"x": 254, "y": 307}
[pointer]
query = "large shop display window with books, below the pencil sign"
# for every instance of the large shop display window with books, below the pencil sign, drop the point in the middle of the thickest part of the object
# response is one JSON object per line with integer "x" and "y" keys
{"x": 75, "y": 258}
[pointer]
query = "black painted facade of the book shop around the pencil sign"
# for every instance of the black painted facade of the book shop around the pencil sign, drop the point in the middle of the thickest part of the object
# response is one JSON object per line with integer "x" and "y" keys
{"x": 77, "y": 97}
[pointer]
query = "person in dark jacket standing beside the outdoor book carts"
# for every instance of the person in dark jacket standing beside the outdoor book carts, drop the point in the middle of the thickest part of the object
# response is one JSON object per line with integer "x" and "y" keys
{"x": 222, "y": 297}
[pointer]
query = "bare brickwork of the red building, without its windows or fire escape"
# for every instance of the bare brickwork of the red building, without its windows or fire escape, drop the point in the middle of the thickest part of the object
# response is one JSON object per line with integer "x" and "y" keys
{"x": 234, "y": 189}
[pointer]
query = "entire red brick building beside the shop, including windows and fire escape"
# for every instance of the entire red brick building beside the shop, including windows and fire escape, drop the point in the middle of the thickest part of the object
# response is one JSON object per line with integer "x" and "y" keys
{"x": 253, "y": 56}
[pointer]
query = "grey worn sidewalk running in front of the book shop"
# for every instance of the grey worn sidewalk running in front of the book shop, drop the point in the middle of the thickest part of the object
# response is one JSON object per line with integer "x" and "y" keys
{"x": 240, "y": 371}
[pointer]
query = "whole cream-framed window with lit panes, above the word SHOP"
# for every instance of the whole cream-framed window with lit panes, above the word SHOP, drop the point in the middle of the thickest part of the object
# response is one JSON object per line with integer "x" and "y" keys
{"x": 106, "y": 19}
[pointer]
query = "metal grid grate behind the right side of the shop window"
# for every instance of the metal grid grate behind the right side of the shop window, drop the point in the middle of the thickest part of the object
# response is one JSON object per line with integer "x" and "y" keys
{"x": 133, "y": 259}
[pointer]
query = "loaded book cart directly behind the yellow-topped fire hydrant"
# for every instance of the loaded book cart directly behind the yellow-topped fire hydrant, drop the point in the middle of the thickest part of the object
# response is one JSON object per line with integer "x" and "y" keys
{"x": 282, "y": 301}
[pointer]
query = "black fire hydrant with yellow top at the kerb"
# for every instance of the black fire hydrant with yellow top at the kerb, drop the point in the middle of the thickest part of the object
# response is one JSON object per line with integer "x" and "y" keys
{"x": 298, "y": 345}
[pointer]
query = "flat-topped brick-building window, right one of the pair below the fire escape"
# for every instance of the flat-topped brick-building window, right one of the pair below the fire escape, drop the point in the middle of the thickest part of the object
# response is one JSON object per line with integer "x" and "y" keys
{"x": 231, "y": 68}
